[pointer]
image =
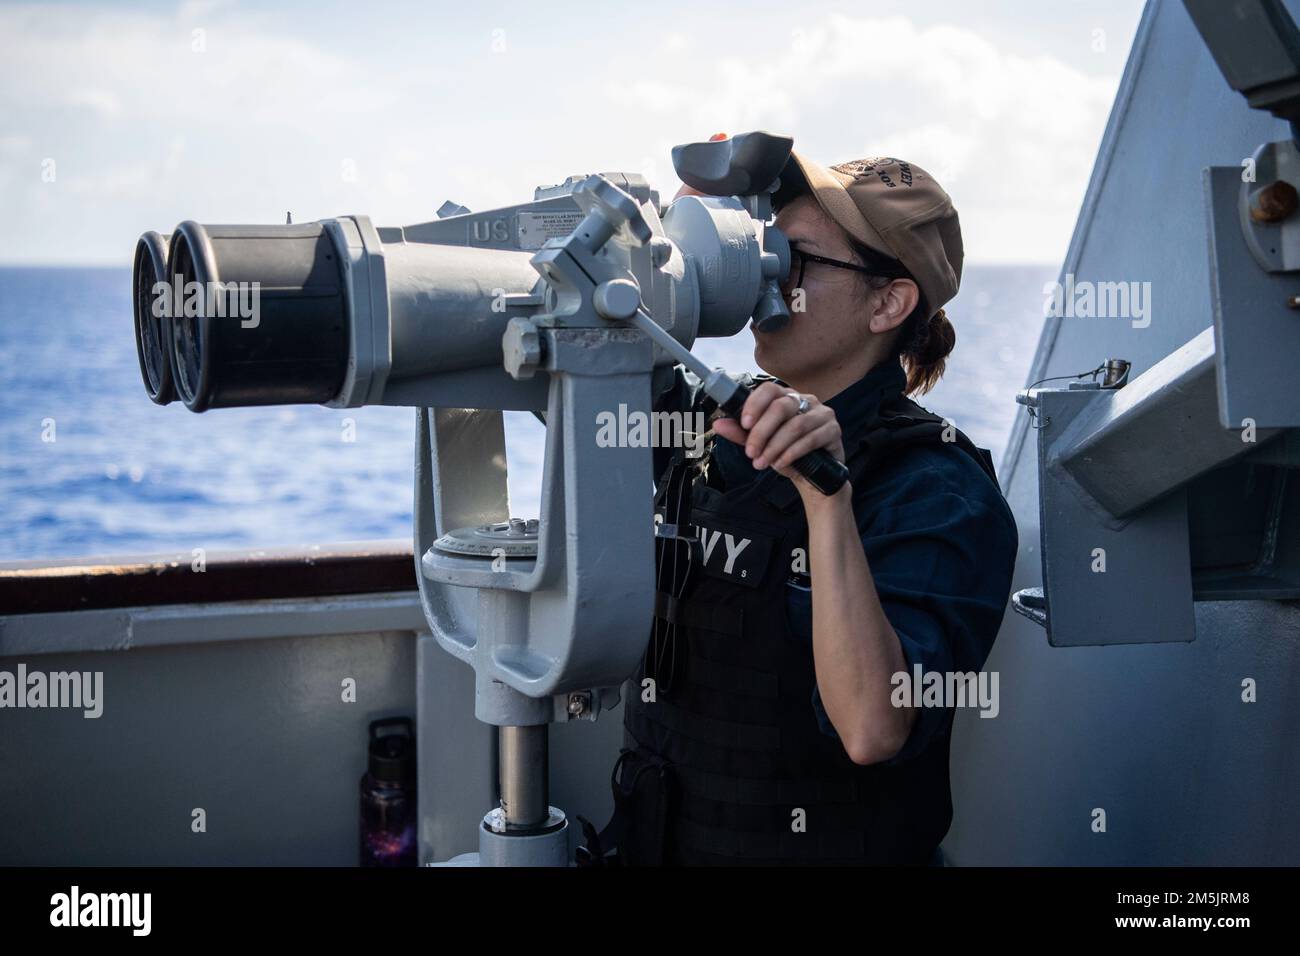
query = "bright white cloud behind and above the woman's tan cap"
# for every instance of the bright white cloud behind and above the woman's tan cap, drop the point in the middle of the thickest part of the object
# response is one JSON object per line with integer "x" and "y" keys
{"x": 1012, "y": 139}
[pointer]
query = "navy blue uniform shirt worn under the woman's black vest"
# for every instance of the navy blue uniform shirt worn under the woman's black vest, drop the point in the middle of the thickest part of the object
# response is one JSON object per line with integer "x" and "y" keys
{"x": 939, "y": 538}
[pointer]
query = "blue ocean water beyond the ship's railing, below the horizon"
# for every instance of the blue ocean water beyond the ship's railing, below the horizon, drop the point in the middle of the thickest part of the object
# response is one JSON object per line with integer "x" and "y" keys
{"x": 89, "y": 466}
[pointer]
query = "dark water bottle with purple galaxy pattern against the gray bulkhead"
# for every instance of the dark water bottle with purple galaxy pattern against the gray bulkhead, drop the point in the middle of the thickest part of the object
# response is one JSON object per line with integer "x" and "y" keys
{"x": 389, "y": 804}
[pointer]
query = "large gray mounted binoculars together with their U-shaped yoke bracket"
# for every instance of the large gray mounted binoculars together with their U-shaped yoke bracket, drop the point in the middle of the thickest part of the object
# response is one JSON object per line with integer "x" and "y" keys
{"x": 566, "y": 306}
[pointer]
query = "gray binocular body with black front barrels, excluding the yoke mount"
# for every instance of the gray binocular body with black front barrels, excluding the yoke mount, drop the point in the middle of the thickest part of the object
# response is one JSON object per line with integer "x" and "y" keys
{"x": 345, "y": 314}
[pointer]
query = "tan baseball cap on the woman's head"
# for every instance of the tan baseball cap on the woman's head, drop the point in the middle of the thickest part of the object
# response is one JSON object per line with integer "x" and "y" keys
{"x": 894, "y": 207}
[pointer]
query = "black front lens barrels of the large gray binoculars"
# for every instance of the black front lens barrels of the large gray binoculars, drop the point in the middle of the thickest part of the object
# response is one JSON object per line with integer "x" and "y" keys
{"x": 241, "y": 315}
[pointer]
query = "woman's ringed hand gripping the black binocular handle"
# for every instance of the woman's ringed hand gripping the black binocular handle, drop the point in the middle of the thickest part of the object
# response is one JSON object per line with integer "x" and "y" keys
{"x": 775, "y": 435}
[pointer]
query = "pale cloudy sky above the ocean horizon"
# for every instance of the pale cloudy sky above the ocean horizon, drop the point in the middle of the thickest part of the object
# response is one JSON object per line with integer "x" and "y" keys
{"x": 119, "y": 118}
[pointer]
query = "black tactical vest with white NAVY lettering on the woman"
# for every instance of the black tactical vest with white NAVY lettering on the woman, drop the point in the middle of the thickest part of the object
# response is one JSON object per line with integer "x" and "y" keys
{"x": 727, "y": 764}
